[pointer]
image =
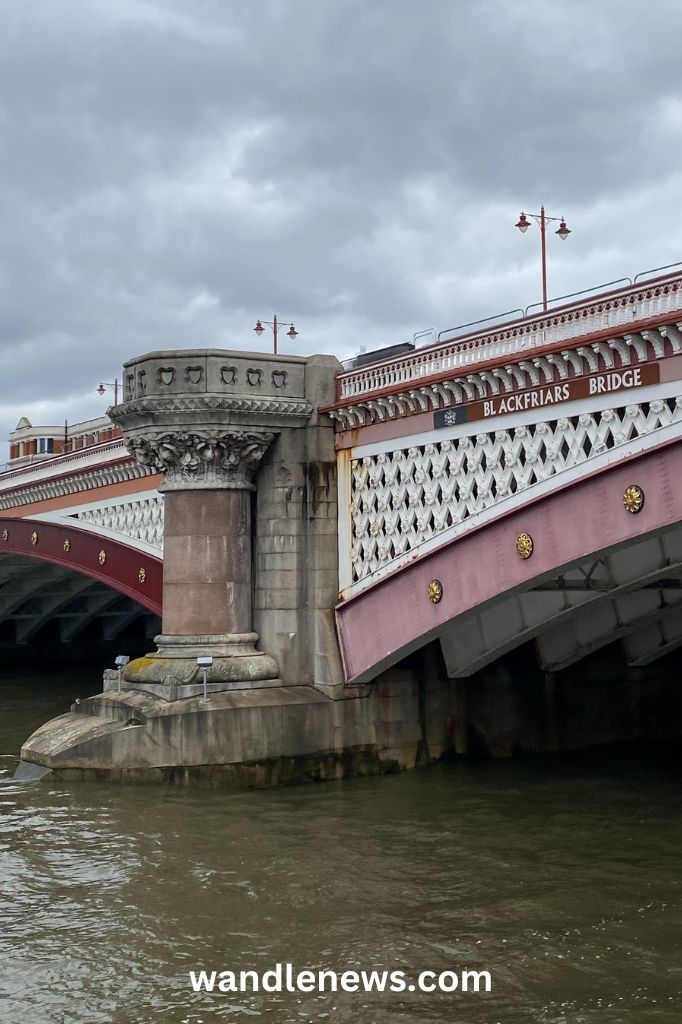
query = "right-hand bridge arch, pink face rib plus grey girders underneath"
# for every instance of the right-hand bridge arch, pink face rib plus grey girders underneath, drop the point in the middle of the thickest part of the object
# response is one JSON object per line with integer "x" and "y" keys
{"x": 494, "y": 601}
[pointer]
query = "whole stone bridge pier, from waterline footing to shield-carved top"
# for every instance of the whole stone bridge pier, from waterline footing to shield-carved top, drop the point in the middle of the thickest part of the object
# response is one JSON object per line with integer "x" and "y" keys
{"x": 250, "y": 579}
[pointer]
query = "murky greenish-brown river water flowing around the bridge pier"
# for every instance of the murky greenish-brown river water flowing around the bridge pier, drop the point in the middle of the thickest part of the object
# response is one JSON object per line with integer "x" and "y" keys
{"x": 561, "y": 878}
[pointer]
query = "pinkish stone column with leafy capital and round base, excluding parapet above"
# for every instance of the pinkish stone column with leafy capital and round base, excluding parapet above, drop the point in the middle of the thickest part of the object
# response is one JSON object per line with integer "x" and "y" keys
{"x": 207, "y": 562}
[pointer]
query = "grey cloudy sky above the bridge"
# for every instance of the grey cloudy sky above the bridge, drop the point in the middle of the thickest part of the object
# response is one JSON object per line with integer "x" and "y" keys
{"x": 173, "y": 169}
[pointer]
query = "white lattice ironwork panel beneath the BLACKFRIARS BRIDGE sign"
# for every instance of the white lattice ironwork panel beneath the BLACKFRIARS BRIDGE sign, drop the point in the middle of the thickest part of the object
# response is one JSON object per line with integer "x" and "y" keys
{"x": 402, "y": 499}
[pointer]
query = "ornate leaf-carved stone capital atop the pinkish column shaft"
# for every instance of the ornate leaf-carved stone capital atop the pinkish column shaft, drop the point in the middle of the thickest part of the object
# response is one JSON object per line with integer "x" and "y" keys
{"x": 202, "y": 459}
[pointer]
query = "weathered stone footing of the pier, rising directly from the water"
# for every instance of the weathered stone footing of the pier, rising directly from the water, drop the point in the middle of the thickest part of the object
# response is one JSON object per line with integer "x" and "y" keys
{"x": 266, "y": 736}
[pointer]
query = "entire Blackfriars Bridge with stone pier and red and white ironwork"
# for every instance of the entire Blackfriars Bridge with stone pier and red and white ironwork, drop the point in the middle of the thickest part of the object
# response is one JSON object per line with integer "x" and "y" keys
{"x": 475, "y": 544}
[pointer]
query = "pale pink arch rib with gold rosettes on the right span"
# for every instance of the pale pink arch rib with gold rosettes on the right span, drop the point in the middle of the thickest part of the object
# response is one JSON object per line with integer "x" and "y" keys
{"x": 570, "y": 526}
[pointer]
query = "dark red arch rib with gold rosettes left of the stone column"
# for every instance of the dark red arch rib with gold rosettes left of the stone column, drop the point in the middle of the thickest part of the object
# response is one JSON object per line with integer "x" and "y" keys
{"x": 133, "y": 573}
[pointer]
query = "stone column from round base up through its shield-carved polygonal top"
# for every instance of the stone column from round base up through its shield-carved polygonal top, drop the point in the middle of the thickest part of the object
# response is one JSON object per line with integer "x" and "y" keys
{"x": 204, "y": 419}
